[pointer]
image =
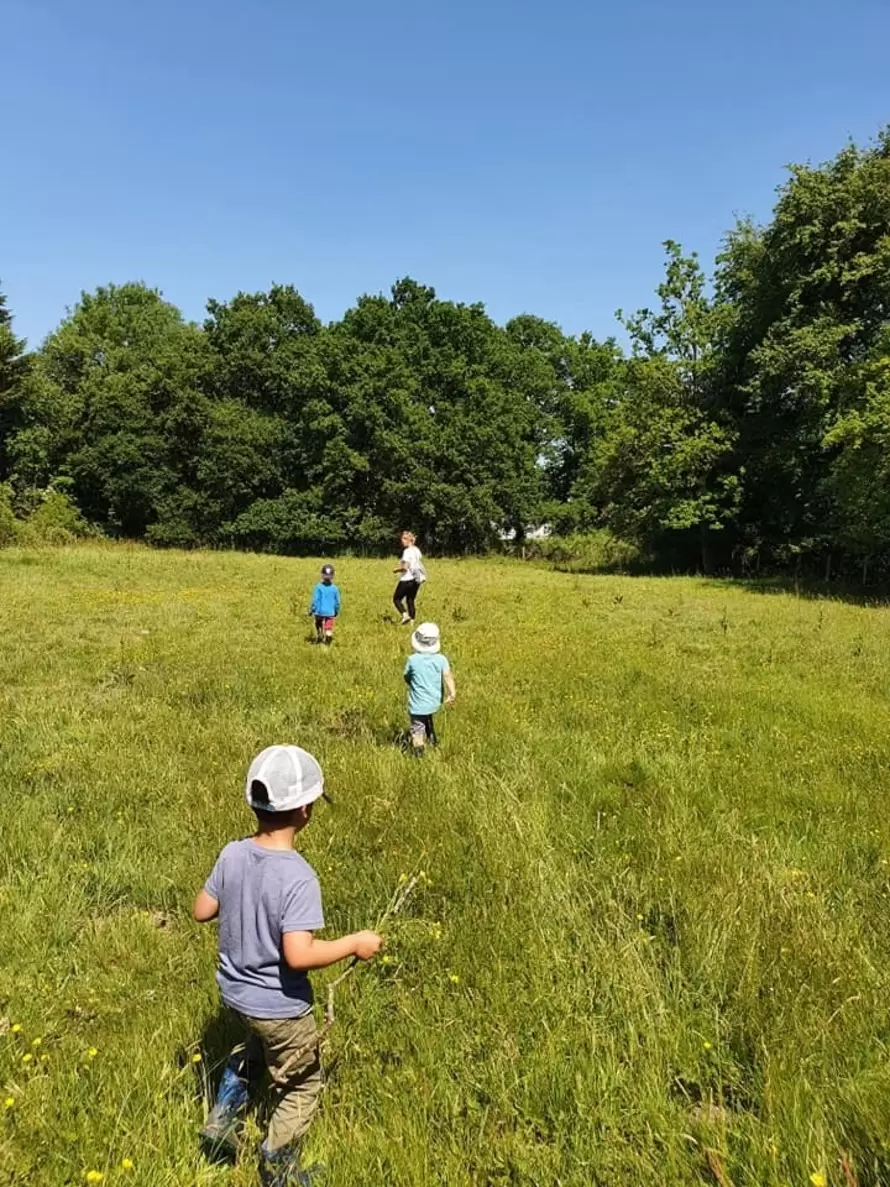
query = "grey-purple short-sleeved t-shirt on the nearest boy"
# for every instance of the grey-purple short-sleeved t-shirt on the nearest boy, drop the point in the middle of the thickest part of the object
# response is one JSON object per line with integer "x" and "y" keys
{"x": 263, "y": 893}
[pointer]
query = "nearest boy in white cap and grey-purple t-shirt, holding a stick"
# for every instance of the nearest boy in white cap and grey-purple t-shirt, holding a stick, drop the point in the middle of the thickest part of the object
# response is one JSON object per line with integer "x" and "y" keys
{"x": 269, "y": 904}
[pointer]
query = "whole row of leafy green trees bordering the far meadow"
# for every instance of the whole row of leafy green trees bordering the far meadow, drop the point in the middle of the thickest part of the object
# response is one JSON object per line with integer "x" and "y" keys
{"x": 747, "y": 424}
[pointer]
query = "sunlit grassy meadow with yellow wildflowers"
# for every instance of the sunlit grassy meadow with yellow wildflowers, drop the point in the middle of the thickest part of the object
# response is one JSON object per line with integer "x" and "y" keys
{"x": 651, "y": 941}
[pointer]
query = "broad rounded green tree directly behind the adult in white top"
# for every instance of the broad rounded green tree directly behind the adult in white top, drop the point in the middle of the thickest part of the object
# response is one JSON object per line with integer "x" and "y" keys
{"x": 440, "y": 423}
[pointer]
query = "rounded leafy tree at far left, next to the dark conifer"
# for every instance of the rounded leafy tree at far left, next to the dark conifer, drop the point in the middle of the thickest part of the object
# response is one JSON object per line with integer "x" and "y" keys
{"x": 106, "y": 402}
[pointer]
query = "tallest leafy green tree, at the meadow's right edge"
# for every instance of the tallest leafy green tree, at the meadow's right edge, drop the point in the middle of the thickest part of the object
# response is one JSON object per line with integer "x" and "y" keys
{"x": 811, "y": 297}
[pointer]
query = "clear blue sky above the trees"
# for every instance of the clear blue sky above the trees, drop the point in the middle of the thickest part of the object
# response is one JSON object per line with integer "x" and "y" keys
{"x": 530, "y": 156}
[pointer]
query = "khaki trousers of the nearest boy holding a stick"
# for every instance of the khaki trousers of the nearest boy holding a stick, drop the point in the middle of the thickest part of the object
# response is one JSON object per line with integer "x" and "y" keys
{"x": 296, "y": 1094}
